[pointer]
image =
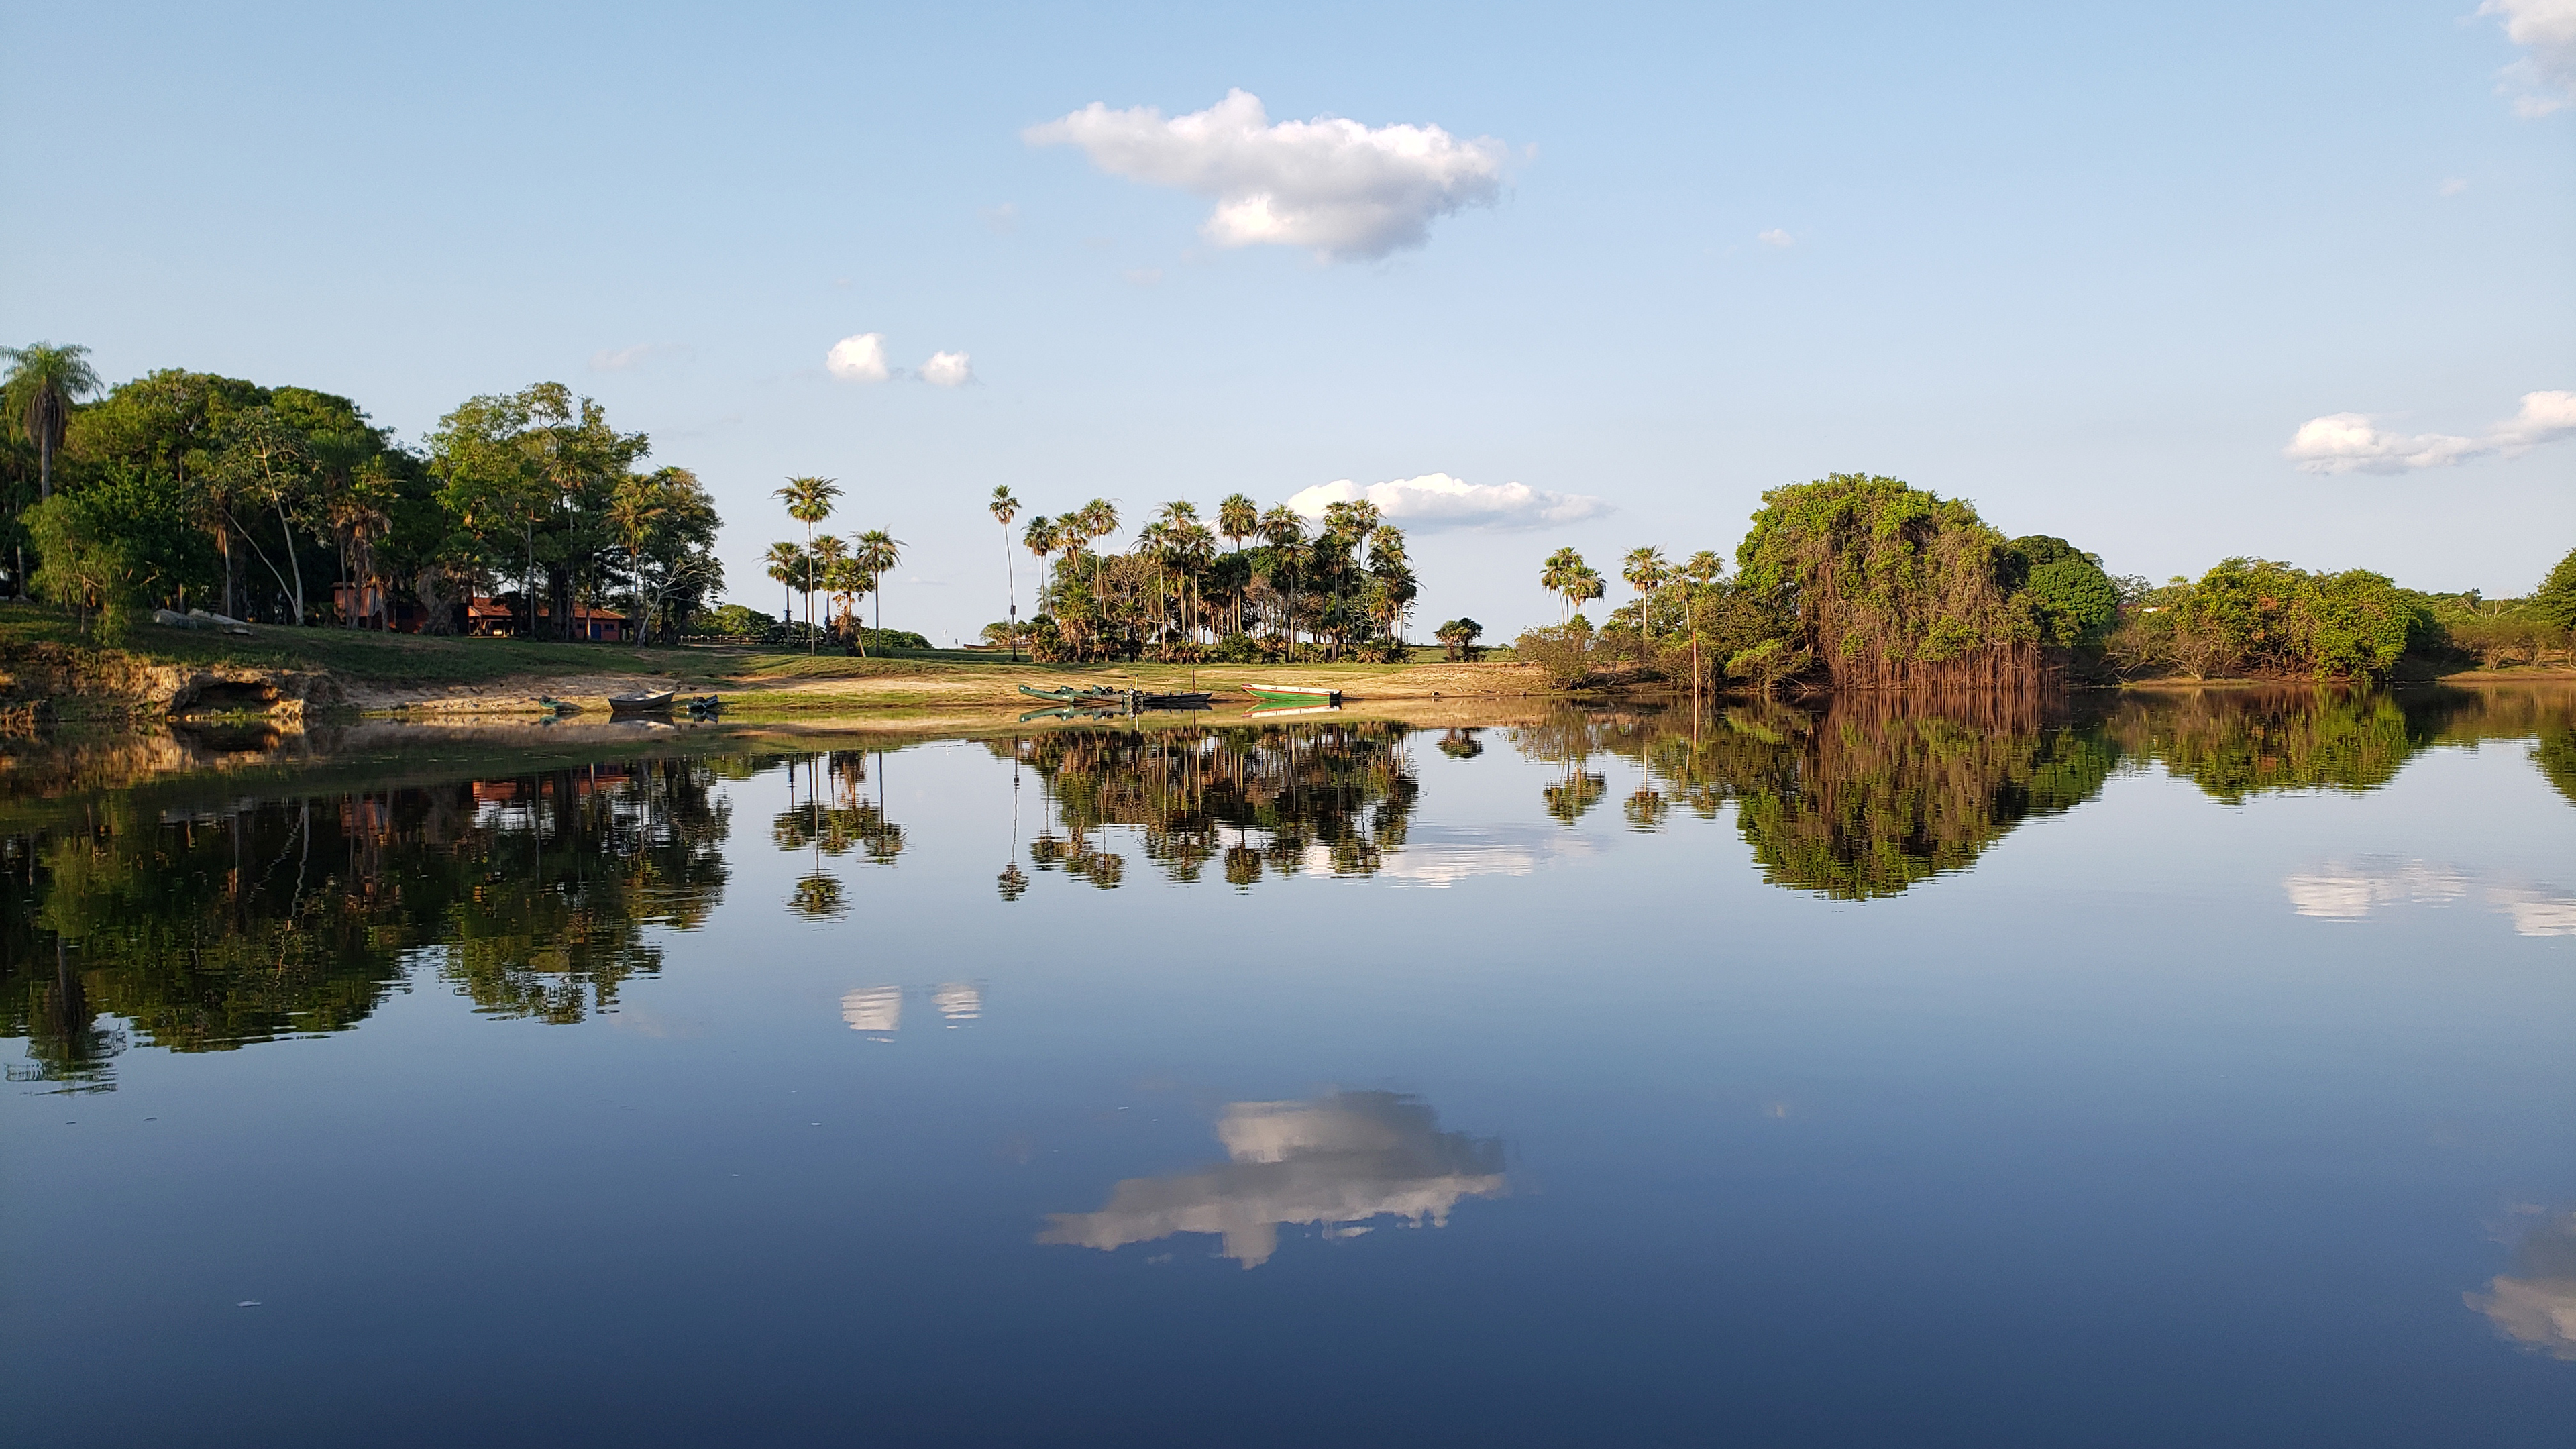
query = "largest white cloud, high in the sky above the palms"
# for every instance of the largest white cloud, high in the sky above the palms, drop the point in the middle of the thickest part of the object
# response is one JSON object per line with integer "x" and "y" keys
{"x": 1336, "y": 187}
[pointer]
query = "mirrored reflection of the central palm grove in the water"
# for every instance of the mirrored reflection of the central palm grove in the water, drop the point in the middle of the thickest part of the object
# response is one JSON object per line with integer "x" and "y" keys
{"x": 1248, "y": 798}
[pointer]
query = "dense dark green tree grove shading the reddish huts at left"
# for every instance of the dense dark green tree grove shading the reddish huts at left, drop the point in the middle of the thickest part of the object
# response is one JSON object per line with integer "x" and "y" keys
{"x": 290, "y": 507}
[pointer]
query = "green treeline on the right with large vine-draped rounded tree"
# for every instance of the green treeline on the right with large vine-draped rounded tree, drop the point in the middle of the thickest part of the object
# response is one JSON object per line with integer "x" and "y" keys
{"x": 1871, "y": 584}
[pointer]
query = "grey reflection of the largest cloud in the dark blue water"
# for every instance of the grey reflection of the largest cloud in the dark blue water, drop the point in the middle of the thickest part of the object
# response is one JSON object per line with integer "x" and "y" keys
{"x": 1336, "y": 1162}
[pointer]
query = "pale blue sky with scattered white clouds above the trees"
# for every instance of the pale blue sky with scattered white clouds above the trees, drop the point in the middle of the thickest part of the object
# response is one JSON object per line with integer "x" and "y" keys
{"x": 2173, "y": 282}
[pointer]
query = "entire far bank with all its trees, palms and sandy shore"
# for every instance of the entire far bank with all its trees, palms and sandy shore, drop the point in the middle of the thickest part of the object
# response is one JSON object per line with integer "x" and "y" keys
{"x": 524, "y": 550}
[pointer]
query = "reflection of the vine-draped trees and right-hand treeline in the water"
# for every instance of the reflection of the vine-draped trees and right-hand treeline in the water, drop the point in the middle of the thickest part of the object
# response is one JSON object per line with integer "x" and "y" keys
{"x": 1882, "y": 790}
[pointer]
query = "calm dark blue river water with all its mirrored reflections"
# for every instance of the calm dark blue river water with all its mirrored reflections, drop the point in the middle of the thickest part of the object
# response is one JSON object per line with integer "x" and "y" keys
{"x": 2160, "y": 1071}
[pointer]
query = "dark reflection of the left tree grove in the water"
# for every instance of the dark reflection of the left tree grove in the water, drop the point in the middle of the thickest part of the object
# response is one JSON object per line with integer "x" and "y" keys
{"x": 207, "y": 929}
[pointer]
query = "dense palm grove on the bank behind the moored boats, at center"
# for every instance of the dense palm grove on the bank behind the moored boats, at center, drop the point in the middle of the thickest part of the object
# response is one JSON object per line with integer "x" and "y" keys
{"x": 1284, "y": 587}
